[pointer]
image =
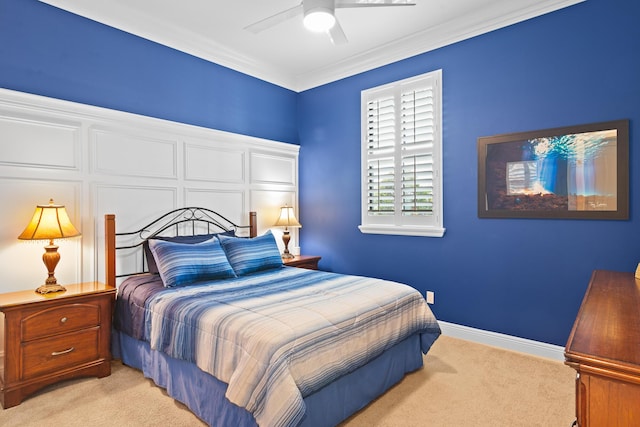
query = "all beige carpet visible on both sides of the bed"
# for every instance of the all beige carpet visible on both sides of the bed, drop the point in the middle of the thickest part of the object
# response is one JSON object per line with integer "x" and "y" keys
{"x": 462, "y": 384}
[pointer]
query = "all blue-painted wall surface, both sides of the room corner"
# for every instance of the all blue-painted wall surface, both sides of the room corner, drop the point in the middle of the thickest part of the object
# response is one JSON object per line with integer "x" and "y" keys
{"x": 520, "y": 277}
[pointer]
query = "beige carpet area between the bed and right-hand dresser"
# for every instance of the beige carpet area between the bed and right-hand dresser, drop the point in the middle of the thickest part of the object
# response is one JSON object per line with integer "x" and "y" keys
{"x": 472, "y": 385}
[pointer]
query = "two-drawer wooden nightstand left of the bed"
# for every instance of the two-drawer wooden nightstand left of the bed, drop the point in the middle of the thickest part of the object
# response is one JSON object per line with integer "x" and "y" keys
{"x": 53, "y": 337}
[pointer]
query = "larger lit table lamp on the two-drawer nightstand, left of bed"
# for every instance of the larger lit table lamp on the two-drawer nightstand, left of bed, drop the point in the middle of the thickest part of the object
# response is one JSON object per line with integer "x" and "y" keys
{"x": 49, "y": 222}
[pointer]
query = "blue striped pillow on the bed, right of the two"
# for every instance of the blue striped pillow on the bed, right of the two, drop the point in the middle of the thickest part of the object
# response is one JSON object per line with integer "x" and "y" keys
{"x": 251, "y": 255}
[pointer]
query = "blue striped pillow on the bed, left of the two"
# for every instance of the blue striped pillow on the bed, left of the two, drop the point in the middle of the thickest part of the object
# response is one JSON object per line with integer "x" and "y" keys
{"x": 181, "y": 264}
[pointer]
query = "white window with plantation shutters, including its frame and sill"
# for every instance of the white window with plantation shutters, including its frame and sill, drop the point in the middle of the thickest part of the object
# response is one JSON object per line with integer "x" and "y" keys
{"x": 401, "y": 157}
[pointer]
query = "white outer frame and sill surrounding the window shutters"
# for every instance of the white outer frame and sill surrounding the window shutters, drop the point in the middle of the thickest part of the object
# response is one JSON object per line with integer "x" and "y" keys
{"x": 434, "y": 226}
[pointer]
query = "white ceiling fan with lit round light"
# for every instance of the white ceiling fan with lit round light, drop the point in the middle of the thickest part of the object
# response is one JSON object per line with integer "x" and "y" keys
{"x": 319, "y": 15}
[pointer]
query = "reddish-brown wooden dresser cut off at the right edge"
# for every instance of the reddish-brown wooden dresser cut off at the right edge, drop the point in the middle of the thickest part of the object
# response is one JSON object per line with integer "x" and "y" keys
{"x": 604, "y": 349}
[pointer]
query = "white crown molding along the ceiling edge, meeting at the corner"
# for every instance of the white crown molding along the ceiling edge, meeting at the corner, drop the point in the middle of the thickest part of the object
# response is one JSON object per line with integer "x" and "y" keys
{"x": 433, "y": 38}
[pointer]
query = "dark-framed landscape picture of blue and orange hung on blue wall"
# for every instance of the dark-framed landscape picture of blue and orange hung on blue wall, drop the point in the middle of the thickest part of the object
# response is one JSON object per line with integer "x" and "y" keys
{"x": 572, "y": 172}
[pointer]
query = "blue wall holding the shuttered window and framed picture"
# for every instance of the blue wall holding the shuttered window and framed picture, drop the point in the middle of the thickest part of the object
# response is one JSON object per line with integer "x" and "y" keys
{"x": 521, "y": 277}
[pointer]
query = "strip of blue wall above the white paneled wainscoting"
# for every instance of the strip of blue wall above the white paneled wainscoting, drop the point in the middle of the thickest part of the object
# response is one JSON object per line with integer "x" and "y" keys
{"x": 50, "y": 52}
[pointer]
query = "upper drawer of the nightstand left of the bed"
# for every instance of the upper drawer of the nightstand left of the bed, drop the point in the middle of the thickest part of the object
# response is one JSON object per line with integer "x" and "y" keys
{"x": 60, "y": 320}
